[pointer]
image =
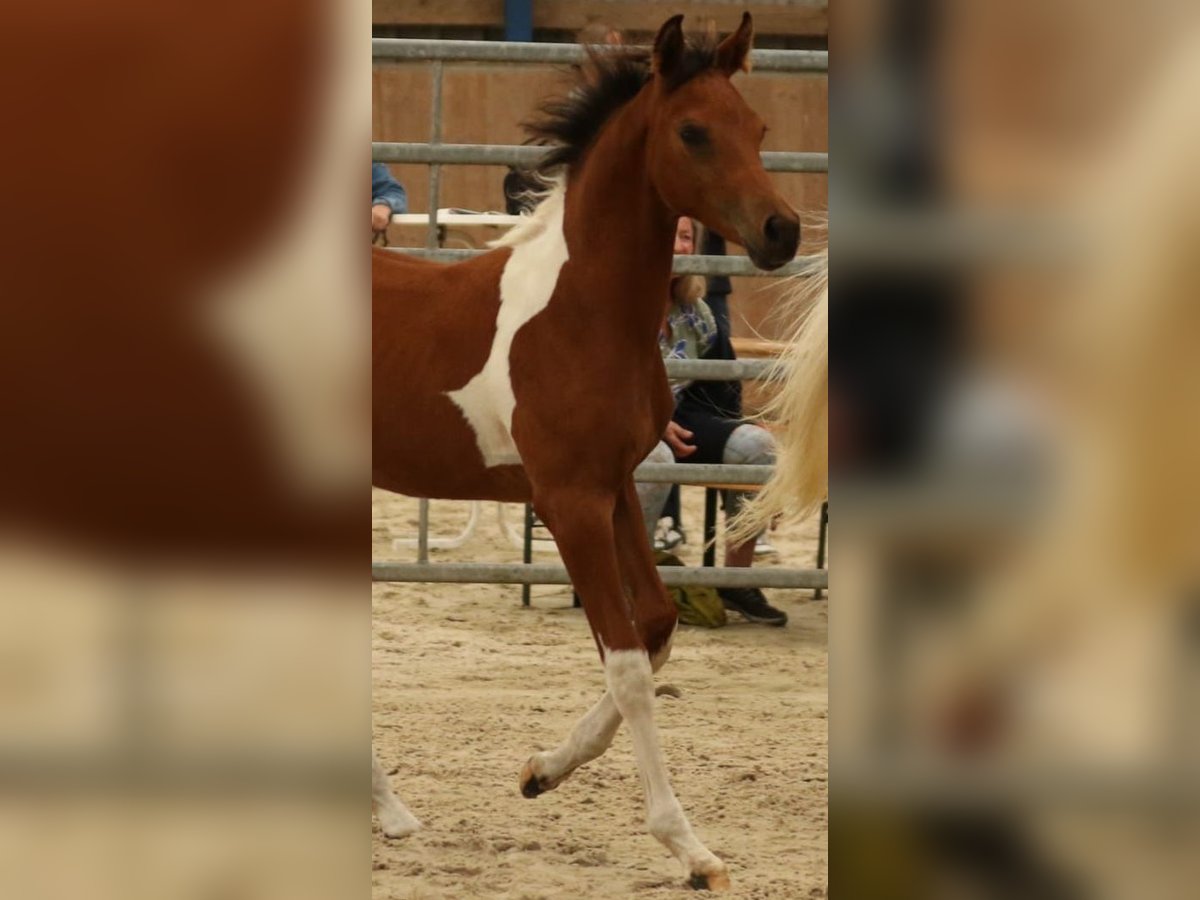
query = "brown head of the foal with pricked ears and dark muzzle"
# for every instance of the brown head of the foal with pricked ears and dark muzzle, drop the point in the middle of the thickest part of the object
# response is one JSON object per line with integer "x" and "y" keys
{"x": 704, "y": 147}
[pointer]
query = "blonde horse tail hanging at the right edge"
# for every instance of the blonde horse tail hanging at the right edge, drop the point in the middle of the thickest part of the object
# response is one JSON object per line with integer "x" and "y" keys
{"x": 800, "y": 412}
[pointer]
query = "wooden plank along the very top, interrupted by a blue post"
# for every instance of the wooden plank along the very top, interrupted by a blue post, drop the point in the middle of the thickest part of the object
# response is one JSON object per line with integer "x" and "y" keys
{"x": 633, "y": 16}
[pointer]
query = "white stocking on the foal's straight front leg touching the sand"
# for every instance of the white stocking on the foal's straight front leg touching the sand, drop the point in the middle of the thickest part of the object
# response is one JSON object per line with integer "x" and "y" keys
{"x": 632, "y": 686}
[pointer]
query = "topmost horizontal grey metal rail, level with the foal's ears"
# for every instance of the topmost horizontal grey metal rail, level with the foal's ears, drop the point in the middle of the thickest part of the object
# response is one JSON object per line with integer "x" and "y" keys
{"x": 416, "y": 51}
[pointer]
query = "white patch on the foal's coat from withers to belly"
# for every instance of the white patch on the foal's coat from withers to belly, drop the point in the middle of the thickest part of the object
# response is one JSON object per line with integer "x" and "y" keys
{"x": 539, "y": 251}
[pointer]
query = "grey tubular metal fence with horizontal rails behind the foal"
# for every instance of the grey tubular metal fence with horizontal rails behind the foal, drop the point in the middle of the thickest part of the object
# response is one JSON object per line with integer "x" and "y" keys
{"x": 437, "y": 154}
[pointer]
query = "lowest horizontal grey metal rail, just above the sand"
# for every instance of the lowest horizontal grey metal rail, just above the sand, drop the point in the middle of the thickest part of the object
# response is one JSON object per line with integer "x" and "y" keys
{"x": 543, "y": 574}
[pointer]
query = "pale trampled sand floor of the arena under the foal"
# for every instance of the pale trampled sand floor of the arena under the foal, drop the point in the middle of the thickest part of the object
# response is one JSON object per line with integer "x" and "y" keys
{"x": 467, "y": 685}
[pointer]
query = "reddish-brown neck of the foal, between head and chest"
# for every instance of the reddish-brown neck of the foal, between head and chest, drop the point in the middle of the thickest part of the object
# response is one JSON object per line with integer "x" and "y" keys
{"x": 615, "y": 217}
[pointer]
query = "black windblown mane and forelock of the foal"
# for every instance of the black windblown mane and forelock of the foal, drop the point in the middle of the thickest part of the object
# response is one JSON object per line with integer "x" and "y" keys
{"x": 607, "y": 81}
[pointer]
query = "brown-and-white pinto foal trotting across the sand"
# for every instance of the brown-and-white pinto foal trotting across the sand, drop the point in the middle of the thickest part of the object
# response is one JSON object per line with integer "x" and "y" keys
{"x": 532, "y": 373}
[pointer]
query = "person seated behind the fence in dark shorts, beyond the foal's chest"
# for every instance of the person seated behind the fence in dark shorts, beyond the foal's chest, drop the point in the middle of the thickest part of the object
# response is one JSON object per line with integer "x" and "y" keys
{"x": 699, "y": 433}
